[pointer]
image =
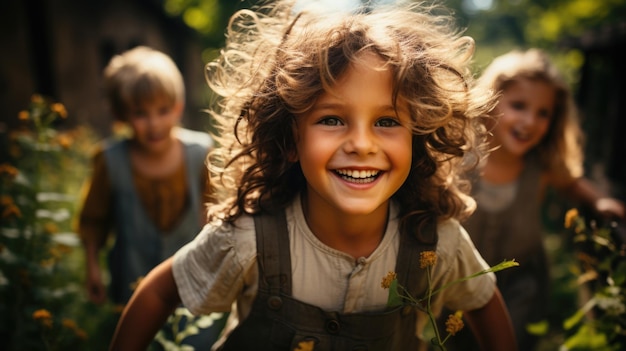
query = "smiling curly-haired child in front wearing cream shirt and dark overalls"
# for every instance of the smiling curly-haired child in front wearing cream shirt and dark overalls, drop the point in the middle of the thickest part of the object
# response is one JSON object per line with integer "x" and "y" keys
{"x": 343, "y": 141}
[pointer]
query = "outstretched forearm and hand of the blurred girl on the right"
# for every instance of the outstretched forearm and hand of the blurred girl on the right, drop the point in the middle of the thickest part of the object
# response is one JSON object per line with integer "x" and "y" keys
{"x": 584, "y": 191}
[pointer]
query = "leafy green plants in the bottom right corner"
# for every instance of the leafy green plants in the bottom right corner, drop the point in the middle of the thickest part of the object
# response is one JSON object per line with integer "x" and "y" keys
{"x": 600, "y": 324}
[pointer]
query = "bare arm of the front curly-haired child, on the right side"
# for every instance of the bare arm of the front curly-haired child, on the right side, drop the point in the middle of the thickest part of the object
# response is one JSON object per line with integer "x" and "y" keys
{"x": 492, "y": 326}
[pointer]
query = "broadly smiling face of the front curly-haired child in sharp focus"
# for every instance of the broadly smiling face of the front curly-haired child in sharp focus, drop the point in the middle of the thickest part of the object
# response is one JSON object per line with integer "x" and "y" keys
{"x": 354, "y": 149}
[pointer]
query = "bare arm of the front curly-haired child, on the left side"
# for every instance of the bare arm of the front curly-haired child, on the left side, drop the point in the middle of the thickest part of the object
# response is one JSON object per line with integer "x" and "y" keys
{"x": 154, "y": 300}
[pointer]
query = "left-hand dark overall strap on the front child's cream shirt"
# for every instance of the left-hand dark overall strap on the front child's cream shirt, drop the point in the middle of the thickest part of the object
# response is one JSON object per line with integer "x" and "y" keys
{"x": 272, "y": 237}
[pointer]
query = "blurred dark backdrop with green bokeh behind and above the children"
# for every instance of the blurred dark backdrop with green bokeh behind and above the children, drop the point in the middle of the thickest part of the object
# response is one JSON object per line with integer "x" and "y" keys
{"x": 58, "y": 48}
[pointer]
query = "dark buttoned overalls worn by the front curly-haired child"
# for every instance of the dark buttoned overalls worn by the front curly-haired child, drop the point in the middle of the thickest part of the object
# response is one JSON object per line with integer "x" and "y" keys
{"x": 277, "y": 321}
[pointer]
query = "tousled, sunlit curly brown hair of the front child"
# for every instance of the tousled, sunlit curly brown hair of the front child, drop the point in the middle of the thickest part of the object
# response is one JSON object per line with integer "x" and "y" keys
{"x": 276, "y": 63}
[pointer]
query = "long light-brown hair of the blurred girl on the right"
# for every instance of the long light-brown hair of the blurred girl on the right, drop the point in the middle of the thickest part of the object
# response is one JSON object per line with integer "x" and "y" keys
{"x": 562, "y": 144}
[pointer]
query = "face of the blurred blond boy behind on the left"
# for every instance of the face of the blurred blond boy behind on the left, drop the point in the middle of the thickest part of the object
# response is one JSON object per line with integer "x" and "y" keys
{"x": 152, "y": 124}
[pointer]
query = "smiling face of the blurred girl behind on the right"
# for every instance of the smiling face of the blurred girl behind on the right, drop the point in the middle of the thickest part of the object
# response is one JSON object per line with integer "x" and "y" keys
{"x": 525, "y": 112}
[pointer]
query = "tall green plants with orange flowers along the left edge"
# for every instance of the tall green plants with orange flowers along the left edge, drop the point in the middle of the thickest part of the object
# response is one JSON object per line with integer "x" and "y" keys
{"x": 36, "y": 281}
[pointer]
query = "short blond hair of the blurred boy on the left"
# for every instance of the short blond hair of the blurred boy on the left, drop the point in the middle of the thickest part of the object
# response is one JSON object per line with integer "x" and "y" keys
{"x": 139, "y": 76}
